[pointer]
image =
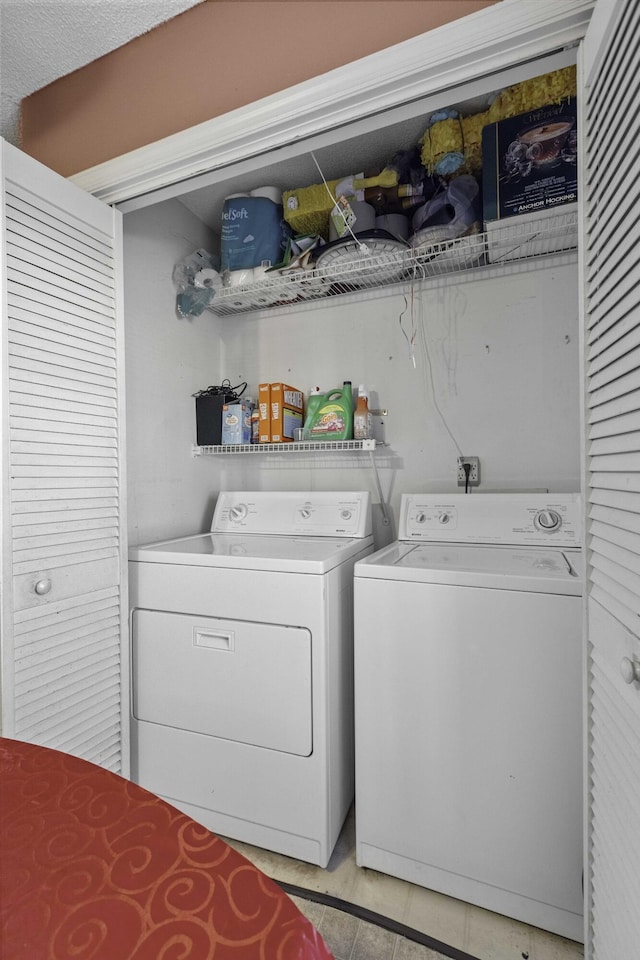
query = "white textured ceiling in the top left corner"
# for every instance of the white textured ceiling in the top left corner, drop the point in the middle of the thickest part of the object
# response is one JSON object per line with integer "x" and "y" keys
{"x": 41, "y": 40}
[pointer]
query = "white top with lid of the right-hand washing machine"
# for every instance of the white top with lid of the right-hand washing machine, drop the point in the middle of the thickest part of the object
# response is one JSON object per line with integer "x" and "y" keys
{"x": 530, "y": 569}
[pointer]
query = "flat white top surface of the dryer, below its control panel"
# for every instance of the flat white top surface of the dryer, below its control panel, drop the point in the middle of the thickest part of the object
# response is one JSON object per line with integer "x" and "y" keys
{"x": 253, "y": 552}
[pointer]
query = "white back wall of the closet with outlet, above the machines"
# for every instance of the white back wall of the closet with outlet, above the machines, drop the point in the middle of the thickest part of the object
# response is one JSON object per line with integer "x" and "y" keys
{"x": 505, "y": 363}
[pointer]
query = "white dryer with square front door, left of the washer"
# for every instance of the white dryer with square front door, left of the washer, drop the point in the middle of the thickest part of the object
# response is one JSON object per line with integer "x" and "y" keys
{"x": 242, "y": 668}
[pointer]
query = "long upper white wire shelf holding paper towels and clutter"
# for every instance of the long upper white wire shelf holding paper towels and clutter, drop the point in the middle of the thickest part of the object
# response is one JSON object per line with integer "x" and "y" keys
{"x": 504, "y": 242}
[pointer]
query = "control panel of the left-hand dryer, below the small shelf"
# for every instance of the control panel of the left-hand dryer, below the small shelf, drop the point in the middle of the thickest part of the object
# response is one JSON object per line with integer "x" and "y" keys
{"x": 314, "y": 514}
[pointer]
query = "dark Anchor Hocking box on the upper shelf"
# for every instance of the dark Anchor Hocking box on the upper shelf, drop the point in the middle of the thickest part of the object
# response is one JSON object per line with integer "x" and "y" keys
{"x": 529, "y": 162}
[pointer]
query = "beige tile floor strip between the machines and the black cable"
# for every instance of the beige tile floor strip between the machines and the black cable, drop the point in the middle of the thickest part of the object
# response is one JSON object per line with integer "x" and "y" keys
{"x": 485, "y": 935}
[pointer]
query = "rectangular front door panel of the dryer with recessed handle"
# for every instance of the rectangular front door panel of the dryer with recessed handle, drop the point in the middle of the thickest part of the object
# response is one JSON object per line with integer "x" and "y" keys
{"x": 238, "y": 680}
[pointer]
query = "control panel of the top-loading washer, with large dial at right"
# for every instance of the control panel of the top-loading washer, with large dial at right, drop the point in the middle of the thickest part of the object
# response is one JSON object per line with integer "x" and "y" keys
{"x": 510, "y": 518}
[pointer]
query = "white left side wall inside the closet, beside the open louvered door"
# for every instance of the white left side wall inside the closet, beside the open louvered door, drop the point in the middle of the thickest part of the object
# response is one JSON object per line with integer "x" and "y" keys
{"x": 167, "y": 359}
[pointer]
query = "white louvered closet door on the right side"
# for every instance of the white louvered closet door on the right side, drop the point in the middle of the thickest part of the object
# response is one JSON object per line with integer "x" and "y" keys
{"x": 612, "y": 307}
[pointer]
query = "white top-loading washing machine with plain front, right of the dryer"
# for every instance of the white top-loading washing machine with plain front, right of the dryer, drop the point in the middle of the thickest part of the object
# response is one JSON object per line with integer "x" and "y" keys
{"x": 468, "y": 704}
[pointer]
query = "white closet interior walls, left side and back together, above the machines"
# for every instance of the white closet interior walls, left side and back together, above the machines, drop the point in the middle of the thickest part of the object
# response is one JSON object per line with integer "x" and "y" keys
{"x": 503, "y": 354}
